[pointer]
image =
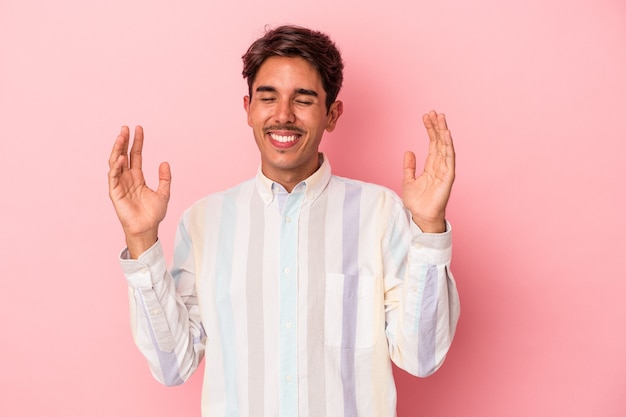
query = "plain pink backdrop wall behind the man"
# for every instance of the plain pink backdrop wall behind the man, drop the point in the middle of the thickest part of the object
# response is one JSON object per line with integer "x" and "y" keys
{"x": 535, "y": 94}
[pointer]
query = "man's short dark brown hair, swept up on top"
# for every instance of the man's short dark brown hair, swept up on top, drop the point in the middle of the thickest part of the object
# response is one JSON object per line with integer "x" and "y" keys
{"x": 295, "y": 41}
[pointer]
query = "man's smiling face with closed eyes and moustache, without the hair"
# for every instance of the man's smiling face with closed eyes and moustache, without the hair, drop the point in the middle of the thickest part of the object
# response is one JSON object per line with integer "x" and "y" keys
{"x": 288, "y": 116}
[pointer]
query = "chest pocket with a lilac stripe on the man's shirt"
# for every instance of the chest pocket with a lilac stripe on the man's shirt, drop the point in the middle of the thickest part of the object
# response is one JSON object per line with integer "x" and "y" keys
{"x": 352, "y": 315}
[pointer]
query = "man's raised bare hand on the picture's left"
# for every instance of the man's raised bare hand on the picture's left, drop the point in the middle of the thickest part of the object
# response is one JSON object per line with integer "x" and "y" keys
{"x": 139, "y": 208}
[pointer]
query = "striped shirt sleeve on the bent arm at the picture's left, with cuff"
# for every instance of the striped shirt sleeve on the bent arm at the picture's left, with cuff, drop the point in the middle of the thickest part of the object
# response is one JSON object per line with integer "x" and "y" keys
{"x": 165, "y": 318}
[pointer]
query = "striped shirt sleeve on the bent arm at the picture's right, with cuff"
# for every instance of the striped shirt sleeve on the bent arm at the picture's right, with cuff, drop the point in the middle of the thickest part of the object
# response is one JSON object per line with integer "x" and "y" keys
{"x": 421, "y": 300}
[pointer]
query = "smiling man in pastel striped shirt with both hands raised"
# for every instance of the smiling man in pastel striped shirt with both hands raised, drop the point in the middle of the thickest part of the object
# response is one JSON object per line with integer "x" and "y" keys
{"x": 298, "y": 286}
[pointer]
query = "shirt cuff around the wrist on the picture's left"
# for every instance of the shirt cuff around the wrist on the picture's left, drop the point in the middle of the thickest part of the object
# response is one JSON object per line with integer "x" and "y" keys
{"x": 145, "y": 270}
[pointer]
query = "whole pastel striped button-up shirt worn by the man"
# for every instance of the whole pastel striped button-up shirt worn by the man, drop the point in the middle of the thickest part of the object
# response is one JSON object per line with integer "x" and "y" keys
{"x": 298, "y": 300}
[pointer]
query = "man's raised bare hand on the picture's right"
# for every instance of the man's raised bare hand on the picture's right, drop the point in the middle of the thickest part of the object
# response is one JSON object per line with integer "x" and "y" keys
{"x": 426, "y": 195}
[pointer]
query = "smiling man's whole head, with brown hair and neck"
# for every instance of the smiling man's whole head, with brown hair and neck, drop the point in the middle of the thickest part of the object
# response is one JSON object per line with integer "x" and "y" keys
{"x": 294, "y": 75}
